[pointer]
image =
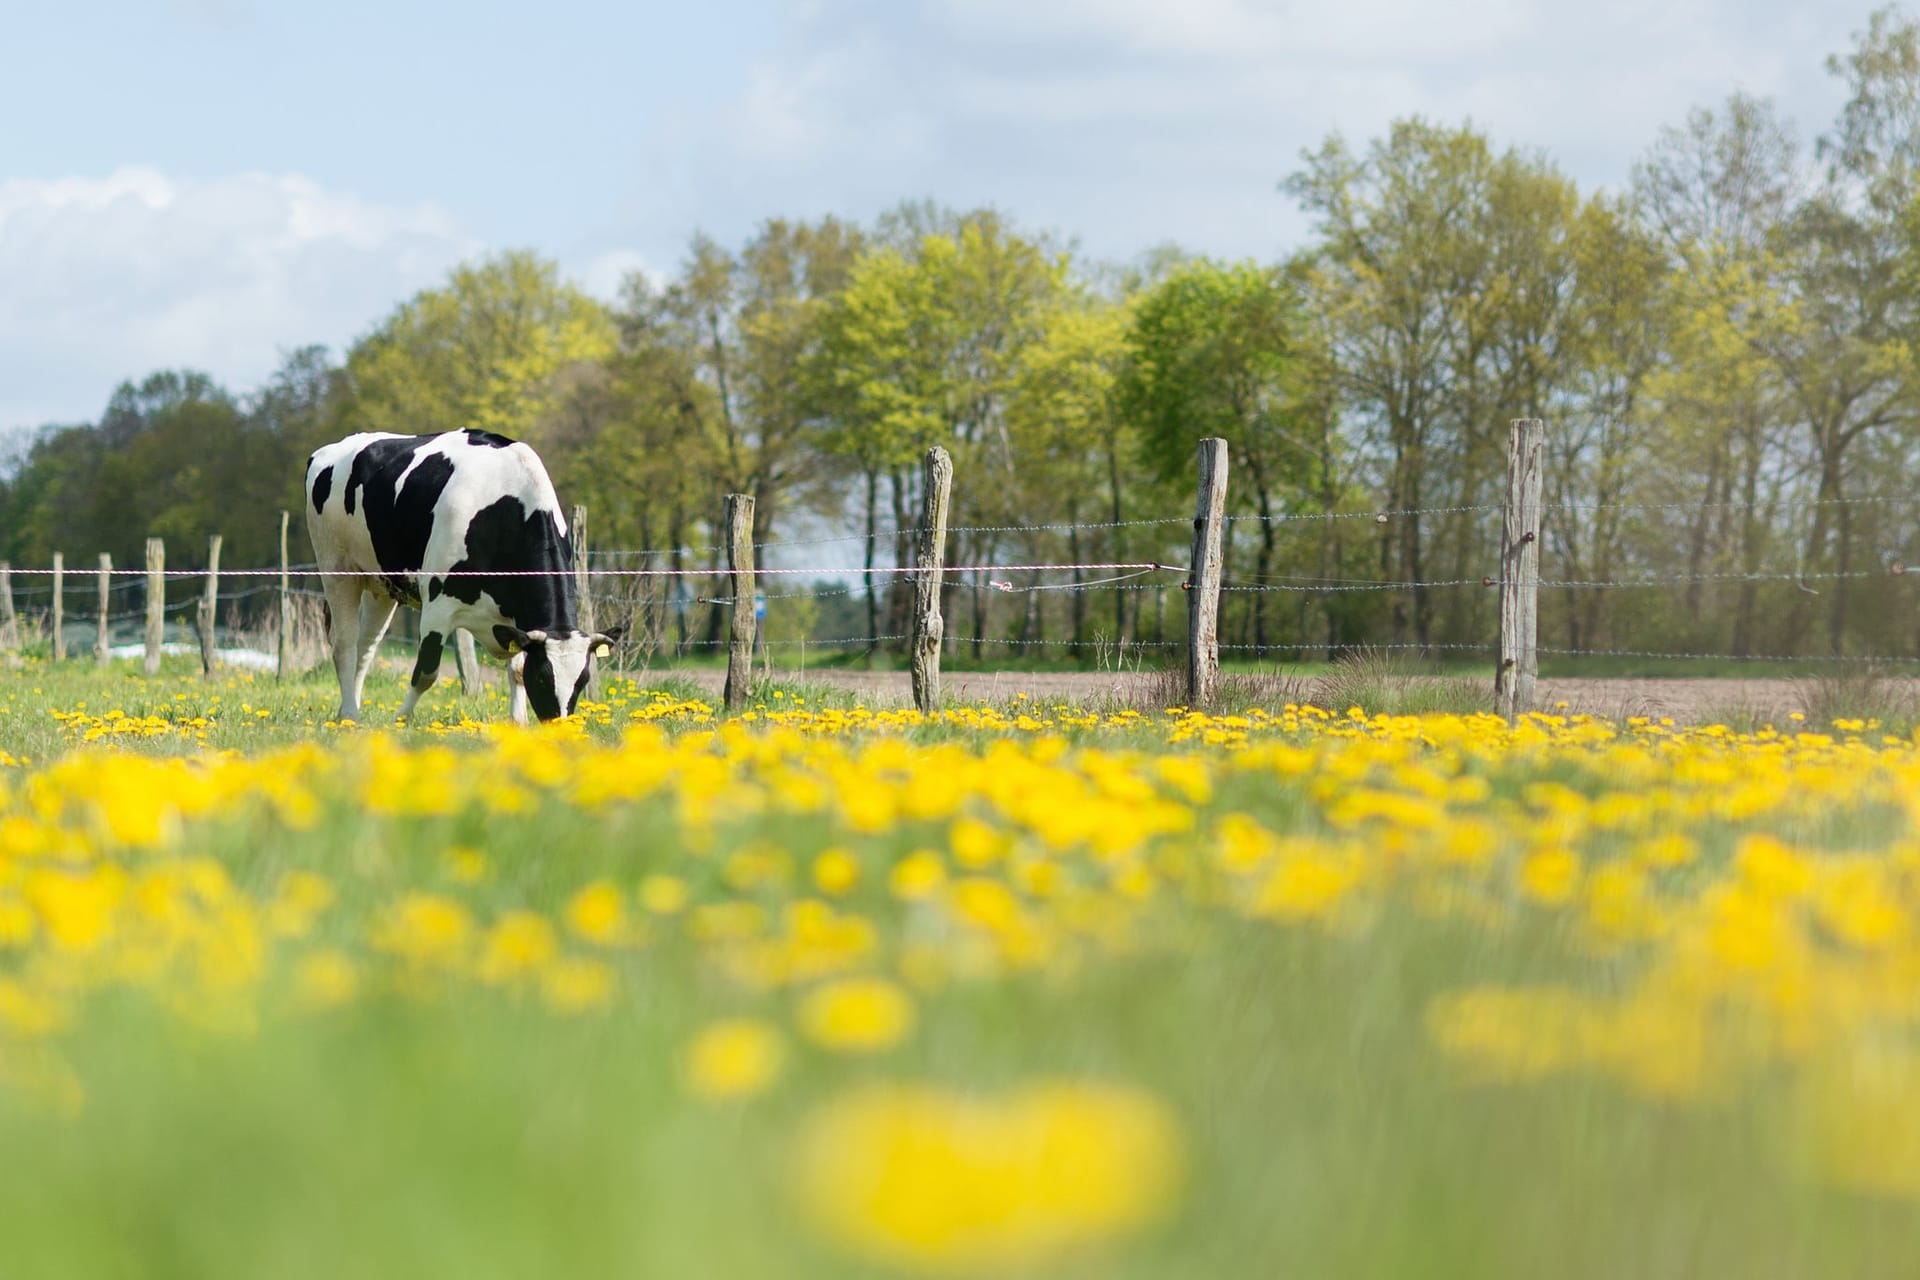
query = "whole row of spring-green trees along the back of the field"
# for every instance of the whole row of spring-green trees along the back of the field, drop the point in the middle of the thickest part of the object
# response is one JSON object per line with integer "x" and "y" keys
{"x": 1723, "y": 352}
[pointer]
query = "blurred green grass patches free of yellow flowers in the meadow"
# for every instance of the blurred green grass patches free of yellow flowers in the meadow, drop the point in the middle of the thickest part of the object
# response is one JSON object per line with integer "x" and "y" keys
{"x": 471, "y": 1135}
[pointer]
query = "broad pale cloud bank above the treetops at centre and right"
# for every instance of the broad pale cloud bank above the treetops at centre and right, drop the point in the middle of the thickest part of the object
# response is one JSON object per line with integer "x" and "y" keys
{"x": 1138, "y": 122}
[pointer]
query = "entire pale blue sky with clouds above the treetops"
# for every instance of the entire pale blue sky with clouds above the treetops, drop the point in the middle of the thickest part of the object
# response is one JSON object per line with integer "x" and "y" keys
{"x": 212, "y": 183}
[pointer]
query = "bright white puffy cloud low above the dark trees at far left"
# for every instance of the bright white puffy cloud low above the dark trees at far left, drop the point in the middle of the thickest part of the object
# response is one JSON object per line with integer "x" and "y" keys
{"x": 108, "y": 279}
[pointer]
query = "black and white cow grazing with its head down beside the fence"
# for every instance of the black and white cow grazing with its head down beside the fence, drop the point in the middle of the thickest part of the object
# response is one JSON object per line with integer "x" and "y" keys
{"x": 408, "y": 517}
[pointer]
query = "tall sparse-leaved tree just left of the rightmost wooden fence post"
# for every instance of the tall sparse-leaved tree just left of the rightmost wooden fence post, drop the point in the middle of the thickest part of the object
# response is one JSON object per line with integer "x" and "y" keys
{"x": 1445, "y": 275}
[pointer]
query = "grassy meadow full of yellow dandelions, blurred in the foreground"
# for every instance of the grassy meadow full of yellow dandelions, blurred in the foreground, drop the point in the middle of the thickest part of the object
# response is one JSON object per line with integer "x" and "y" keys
{"x": 1007, "y": 991}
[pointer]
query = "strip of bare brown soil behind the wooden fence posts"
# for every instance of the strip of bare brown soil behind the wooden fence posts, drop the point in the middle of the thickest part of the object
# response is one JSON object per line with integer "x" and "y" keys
{"x": 1683, "y": 699}
